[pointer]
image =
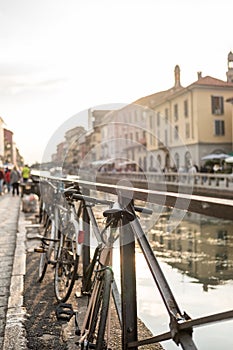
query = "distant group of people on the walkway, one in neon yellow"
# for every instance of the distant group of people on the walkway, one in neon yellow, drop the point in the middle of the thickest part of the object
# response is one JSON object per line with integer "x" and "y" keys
{"x": 10, "y": 179}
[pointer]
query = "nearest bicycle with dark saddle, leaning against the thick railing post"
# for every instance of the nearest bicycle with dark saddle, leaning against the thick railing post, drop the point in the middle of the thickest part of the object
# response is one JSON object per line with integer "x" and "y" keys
{"x": 98, "y": 281}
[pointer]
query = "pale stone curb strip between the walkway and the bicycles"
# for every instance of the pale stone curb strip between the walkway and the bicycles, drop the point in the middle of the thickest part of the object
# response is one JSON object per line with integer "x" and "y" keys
{"x": 15, "y": 334}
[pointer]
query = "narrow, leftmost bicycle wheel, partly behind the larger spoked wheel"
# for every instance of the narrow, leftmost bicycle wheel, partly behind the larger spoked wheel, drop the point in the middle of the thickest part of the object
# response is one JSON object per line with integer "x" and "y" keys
{"x": 46, "y": 247}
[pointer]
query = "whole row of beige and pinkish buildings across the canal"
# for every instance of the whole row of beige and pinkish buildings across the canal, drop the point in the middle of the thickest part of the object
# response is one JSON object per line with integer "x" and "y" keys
{"x": 166, "y": 130}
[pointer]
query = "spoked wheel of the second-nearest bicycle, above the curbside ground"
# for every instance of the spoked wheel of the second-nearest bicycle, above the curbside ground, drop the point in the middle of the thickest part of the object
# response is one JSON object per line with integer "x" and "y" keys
{"x": 66, "y": 265}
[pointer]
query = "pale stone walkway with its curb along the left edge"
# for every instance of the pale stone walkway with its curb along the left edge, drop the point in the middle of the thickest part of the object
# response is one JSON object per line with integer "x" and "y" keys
{"x": 12, "y": 269}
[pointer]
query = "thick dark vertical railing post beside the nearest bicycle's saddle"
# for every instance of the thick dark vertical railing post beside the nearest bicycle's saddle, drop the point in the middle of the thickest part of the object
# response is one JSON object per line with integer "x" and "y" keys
{"x": 128, "y": 284}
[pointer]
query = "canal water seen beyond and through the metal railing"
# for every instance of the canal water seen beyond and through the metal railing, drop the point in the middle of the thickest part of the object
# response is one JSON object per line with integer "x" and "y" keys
{"x": 195, "y": 253}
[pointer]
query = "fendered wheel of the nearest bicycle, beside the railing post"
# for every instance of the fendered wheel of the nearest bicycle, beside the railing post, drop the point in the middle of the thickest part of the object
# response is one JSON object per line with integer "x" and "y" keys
{"x": 97, "y": 319}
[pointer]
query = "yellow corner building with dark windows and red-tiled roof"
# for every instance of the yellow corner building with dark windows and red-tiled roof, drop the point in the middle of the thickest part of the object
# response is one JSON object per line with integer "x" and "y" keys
{"x": 187, "y": 123}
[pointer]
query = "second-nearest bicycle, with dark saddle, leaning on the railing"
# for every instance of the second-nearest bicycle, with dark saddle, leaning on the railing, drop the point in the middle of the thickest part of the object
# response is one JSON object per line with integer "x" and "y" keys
{"x": 70, "y": 246}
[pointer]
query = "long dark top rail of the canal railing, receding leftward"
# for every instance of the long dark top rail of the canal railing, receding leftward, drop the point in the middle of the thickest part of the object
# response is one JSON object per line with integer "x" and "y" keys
{"x": 202, "y": 204}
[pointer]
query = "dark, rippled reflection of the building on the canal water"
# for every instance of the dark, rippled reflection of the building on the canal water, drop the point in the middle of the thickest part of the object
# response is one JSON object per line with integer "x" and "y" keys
{"x": 199, "y": 246}
